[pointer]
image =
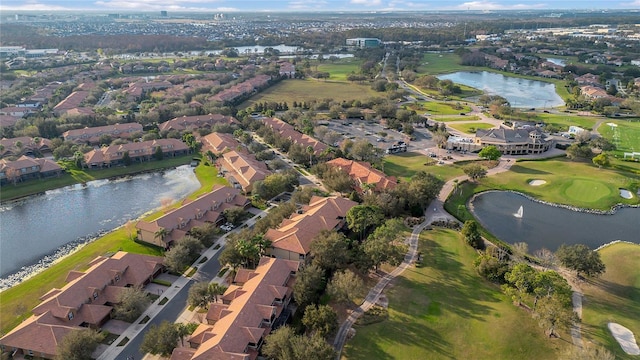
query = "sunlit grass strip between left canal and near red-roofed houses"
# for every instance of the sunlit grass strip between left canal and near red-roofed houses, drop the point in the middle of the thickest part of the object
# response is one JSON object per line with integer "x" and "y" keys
{"x": 17, "y": 302}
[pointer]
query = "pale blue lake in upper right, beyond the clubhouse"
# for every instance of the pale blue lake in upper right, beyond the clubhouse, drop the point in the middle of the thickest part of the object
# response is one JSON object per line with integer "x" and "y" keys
{"x": 521, "y": 93}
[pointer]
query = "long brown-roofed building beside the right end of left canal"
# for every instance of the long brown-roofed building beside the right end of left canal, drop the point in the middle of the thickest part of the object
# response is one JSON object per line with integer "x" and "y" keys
{"x": 174, "y": 225}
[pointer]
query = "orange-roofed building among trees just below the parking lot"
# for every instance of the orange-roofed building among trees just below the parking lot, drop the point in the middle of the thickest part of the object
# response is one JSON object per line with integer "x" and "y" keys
{"x": 365, "y": 177}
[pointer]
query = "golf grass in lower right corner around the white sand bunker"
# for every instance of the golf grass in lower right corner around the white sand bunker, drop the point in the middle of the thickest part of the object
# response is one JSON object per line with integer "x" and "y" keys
{"x": 614, "y": 297}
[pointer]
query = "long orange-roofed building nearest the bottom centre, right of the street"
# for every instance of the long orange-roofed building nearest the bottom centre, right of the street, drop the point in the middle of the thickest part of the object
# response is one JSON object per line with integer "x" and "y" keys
{"x": 256, "y": 303}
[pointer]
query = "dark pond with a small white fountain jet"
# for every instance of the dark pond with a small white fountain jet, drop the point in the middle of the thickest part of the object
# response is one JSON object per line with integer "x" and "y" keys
{"x": 545, "y": 226}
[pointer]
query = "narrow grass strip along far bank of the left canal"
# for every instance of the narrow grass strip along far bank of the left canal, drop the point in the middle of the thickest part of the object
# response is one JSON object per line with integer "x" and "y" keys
{"x": 74, "y": 176}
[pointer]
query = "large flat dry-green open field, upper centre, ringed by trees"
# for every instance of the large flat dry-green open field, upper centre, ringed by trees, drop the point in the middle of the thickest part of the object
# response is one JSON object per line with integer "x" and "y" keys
{"x": 309, "y": 89}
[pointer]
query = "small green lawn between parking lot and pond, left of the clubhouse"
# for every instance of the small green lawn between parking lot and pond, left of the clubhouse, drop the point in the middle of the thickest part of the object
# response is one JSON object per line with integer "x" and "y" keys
{"x": 405, "y": 165}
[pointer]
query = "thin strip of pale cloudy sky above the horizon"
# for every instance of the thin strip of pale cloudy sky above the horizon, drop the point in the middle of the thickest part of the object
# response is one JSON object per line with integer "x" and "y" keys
{"x": 312, "y": 5}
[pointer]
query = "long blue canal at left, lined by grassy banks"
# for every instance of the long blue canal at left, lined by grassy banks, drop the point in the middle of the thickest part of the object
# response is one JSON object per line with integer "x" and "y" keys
{"x": 36, "y": 230}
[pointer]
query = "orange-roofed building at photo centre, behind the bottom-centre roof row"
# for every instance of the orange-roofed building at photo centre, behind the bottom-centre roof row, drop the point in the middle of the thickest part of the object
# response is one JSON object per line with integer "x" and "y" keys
{"x": 292, "y": 239}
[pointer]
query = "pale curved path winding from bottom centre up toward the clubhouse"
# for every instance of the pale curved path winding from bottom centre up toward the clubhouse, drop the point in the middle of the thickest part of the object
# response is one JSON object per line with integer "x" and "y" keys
{"x": 438, "y": 213}
